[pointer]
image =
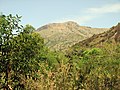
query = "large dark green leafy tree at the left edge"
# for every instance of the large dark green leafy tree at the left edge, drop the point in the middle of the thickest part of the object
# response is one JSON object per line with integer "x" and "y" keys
{"x": 20, "y": 54}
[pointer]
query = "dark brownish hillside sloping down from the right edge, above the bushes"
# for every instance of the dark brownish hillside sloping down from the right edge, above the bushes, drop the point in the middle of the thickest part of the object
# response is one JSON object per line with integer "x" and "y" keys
{"x": 112, "y": 36}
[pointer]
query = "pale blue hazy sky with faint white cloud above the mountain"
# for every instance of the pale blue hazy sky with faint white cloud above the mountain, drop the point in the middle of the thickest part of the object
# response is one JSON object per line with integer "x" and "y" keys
{"x": 94, "y": 13}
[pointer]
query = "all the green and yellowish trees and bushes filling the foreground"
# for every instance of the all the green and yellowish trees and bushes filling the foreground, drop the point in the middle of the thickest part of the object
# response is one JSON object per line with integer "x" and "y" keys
{"x": 26, "y": 64}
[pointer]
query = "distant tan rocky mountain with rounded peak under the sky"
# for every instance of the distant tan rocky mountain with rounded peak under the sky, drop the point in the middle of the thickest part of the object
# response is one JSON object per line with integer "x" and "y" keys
{"x": 60, "y": 36}
